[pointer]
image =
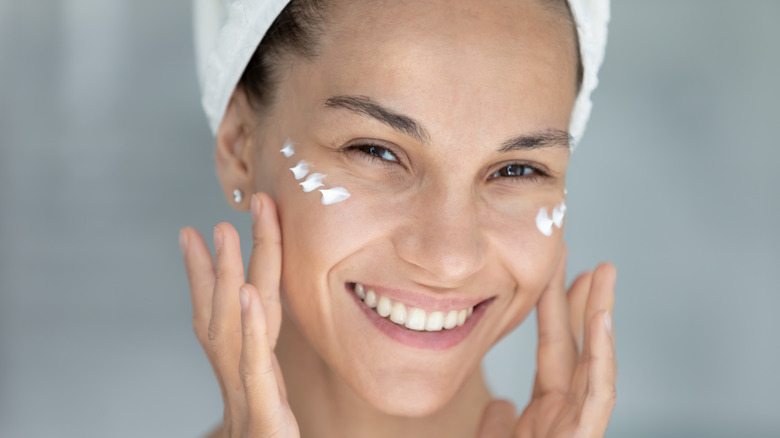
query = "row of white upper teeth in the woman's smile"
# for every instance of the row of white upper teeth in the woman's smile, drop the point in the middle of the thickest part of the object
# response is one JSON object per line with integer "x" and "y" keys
{"x": 414, "y": 318}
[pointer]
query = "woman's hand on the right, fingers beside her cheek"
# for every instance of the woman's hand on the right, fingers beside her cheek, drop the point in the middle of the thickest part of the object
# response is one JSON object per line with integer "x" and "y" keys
{"x": 574, "y": 391}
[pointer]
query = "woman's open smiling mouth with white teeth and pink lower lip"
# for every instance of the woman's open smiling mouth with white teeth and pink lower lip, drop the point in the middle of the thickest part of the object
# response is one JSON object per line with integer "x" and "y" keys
{"x": 415, "y": 327}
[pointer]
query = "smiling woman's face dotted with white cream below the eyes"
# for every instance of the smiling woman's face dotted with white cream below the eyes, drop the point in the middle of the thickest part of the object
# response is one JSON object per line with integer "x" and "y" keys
{"x": 447, "y": 124}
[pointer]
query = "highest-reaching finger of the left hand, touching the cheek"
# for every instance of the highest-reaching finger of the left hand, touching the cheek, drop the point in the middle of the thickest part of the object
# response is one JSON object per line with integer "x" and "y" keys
{"x": 265, "y": 262}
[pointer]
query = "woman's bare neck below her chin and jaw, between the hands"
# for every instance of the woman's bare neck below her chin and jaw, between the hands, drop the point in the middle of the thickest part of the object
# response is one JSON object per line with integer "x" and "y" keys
{"x": 325, "y": 406}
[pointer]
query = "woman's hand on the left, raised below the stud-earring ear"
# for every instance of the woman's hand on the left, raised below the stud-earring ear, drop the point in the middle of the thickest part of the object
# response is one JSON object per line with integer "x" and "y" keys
{"x": 237, "y": 323}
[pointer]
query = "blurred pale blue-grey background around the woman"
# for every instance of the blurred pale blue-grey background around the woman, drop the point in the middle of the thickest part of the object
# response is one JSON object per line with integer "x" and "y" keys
{"x": 105, "y": 154}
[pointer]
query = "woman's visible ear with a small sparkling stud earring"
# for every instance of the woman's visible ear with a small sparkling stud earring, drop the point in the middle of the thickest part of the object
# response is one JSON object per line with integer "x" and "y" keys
{"x": 235, "y": 150}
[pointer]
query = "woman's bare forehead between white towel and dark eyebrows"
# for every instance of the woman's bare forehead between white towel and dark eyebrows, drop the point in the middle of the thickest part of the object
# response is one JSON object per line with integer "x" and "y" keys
{"x": 498, "y": 64}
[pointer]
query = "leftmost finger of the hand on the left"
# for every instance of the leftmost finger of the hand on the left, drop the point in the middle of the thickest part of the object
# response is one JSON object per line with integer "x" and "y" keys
{"x": 201, "y": 276}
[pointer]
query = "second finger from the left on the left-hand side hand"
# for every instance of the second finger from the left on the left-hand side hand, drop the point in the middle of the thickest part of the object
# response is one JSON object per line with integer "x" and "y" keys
{"x": 225, "y": 326}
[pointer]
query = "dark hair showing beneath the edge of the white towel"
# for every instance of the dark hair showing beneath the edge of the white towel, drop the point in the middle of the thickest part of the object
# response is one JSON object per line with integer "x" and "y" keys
{"x": 297, "y": 30}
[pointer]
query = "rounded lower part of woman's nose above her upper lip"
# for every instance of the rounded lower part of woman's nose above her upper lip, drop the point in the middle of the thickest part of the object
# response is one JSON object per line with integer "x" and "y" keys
{"x": 442, "y": 239}
